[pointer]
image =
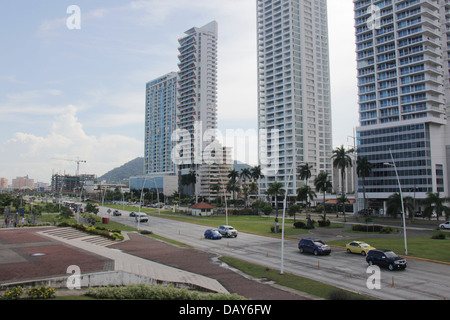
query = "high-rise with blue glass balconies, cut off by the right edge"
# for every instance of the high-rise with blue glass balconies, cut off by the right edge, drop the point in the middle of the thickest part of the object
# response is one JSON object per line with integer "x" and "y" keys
{"x": 403, "y": 81}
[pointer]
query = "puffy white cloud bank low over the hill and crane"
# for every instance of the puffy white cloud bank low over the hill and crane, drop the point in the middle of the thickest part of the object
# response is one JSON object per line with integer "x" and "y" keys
{"x": 66, "y": 140}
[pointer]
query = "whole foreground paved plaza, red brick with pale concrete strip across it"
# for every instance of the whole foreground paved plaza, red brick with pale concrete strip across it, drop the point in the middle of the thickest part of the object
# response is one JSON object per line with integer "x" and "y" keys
{"x": 38, "y": 253}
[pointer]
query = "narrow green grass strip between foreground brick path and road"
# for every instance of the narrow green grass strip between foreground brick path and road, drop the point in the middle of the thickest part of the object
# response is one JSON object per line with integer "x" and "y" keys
{"x": 288, "y": 280}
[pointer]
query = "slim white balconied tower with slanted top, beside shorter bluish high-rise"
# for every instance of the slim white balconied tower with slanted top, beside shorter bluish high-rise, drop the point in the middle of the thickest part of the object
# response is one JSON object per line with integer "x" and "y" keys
{"x": 197, "y": 88}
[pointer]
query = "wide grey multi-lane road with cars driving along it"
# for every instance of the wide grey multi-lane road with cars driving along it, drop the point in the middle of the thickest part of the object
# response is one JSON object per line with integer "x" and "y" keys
{"x": 422, "y": 280}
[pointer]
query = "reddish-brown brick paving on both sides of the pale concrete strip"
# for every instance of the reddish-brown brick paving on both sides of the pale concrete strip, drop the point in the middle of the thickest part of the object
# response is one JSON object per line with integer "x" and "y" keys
{"x": 18, "y": 264}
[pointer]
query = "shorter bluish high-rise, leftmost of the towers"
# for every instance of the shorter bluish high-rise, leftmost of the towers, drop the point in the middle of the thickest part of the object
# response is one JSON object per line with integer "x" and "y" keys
{"x": 160, "y": 123}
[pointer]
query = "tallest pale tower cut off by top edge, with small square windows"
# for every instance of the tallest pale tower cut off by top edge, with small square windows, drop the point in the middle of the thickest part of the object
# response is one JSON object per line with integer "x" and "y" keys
{"x": 294, "y": 90}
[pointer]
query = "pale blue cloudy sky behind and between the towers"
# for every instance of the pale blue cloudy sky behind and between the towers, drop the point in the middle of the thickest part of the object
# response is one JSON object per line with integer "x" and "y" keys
{"x": 72, "y": 79}
